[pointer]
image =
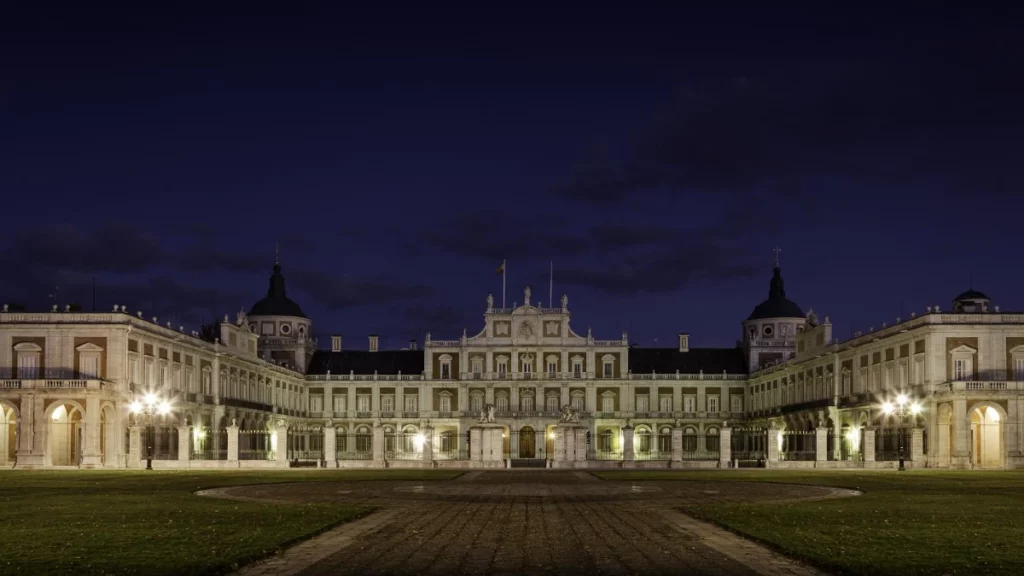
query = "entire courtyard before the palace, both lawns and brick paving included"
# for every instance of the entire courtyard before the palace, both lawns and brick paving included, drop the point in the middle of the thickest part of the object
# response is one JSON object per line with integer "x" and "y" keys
{"x": 511, "y": 522}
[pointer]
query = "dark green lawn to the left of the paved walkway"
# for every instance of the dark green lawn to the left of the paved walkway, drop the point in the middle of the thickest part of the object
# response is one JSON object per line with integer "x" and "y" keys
{"x": 152, "y": 523}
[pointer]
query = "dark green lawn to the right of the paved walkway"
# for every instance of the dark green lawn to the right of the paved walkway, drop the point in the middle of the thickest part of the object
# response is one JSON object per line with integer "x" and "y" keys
{"x": 906, "y": 523}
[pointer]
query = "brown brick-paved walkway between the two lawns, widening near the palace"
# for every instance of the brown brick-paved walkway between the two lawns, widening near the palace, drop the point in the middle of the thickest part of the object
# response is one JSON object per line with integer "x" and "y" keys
{"x": 529, "y": 523}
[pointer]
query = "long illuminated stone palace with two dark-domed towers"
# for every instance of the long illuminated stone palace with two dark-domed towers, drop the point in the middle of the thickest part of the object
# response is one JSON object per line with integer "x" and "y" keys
{"x": 943, "y": 389}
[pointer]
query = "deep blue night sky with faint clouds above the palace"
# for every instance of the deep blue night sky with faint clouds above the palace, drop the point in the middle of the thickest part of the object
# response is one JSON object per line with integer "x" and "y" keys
{"x": 400, "y": 157}
